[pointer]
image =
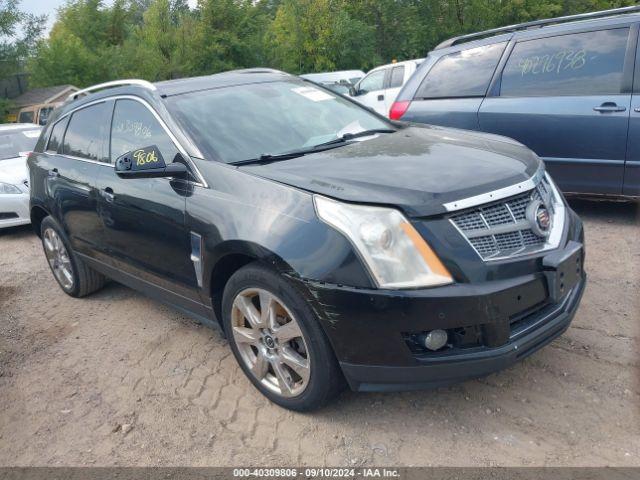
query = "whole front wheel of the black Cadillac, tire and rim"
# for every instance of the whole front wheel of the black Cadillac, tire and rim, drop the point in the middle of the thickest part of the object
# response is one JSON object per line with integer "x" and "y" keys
{"x": 302, "y": 390}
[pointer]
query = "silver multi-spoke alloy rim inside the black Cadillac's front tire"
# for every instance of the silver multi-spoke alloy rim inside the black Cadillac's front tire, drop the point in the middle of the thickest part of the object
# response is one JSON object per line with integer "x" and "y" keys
{"x": 270, "y": 341}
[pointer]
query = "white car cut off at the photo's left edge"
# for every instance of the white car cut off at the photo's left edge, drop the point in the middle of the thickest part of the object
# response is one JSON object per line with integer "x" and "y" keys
{"x": 16, "y": 141}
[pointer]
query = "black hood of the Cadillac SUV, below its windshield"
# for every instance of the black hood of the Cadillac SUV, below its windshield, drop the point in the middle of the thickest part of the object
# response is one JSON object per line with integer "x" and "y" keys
{"x": 417, "y": 169}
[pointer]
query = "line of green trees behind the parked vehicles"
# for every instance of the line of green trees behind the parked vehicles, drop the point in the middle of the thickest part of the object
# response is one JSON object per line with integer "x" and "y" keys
{"x": 92, "y": 41}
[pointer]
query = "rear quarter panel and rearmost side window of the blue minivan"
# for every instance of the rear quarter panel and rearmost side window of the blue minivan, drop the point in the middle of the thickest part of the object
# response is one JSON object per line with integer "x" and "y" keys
{"x": 453, "y": 89}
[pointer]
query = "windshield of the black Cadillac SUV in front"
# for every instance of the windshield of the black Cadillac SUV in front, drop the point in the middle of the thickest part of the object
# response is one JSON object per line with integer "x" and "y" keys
{"x": 246, "y": 121}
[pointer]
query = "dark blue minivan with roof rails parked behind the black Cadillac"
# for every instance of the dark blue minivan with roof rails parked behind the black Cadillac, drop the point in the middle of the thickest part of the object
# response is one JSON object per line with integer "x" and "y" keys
{"x": 569, "y": 91}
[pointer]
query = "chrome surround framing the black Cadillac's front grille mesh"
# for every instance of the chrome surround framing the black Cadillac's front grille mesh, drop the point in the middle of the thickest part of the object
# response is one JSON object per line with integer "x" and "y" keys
{"x": 557, "y": 228}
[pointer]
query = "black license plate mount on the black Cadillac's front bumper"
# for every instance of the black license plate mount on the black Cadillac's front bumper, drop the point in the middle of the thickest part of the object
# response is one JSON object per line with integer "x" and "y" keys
{"x": 563, "y": 270}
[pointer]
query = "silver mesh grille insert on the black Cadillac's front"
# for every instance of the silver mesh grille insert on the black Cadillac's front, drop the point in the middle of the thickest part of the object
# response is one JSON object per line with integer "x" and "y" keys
{"x": 500, "y": 229}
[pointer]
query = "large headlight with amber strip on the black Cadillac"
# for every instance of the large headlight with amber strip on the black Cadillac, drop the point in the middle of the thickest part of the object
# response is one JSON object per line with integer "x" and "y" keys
{"x": 394, "y": 252}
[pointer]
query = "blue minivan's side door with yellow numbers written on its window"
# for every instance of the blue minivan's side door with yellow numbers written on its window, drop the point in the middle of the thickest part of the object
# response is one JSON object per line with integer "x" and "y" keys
{"x": 567, "y": 97}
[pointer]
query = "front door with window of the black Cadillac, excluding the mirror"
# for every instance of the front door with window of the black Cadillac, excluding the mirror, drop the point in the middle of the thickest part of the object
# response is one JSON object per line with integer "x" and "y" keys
{"x": 144, "y": 218}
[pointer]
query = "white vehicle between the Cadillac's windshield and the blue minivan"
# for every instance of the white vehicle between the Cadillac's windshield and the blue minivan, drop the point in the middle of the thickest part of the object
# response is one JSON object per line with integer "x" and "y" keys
{"x": 380, "y": 87}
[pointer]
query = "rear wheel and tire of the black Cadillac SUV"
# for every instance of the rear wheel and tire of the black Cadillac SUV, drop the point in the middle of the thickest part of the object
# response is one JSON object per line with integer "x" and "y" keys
{"x": 78, "y": 279}
